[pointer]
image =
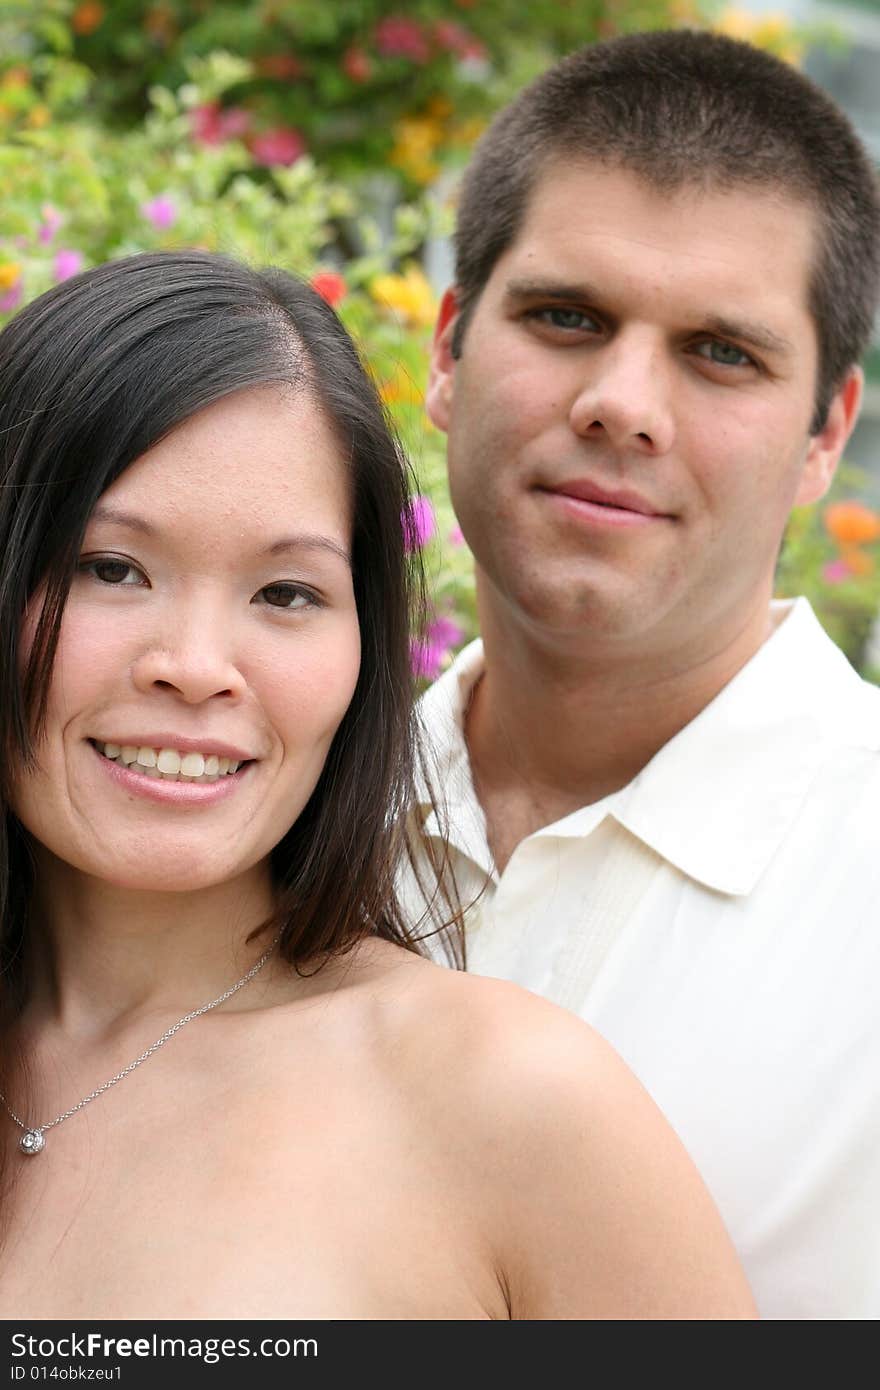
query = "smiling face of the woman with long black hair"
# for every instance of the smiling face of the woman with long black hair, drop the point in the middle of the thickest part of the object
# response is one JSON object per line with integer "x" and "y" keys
{"x": 212, "y": 623}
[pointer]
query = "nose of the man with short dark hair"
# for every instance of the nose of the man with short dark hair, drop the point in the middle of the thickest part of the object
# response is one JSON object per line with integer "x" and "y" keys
{"x": 628, "y": 395}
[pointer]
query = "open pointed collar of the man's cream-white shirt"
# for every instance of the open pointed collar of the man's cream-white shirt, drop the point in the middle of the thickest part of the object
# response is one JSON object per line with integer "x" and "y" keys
{"x": 718, "y": 800}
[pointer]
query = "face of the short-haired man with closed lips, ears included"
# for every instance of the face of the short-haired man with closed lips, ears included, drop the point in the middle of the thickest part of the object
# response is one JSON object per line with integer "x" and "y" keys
{"x": 629, "y": 420}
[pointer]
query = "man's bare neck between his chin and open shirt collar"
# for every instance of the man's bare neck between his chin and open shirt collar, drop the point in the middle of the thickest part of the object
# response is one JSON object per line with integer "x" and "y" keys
{"x": 553, "y": 730}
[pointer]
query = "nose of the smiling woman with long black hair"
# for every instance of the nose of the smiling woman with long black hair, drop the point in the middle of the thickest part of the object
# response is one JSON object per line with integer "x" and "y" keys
{"x": 191, "y": 657}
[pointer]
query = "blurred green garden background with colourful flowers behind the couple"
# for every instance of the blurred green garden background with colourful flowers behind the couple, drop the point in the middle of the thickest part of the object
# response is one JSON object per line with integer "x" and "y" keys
{"x": 327, "y": 140}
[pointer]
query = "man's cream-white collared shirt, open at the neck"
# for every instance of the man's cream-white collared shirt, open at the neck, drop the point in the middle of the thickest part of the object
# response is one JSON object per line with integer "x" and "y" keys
{"x": 718, "y": 921}
